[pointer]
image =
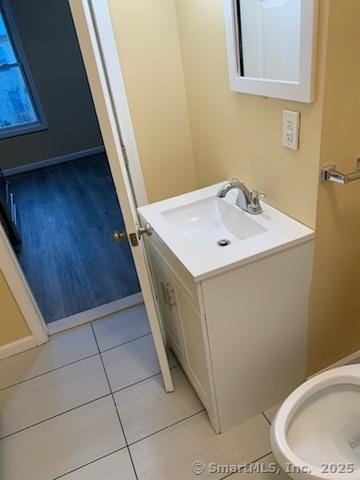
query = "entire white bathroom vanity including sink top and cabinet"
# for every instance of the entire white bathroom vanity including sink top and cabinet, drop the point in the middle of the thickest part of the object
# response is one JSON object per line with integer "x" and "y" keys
{"x": 235, "y": 316}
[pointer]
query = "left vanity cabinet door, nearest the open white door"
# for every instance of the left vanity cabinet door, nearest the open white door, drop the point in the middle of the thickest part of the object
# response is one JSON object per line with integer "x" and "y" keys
{"x": 167, "y": 300}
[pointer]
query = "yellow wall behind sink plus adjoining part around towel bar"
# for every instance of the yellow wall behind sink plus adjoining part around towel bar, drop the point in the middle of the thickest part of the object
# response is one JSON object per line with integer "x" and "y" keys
{"x": 240, "y": 135}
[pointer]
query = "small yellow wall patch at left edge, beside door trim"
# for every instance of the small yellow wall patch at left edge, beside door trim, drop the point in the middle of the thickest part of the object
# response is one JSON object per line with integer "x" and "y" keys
{"x": 12, "y": 323}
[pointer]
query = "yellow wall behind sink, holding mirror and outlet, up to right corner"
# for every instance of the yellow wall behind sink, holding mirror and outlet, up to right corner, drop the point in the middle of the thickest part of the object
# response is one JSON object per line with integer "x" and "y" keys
{"x": 240, "y": 135}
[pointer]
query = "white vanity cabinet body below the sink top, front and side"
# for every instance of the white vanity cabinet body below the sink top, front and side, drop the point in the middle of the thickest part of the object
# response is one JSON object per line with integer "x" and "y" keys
{"x": 241, "y": 335}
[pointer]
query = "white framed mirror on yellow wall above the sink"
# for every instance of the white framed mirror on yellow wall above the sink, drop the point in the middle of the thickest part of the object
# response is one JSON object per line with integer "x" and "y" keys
{"x": 271, "y": 46}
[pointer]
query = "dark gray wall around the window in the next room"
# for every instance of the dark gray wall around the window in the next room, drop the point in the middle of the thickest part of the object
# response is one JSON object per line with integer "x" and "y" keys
{"x": 49, "y": 40}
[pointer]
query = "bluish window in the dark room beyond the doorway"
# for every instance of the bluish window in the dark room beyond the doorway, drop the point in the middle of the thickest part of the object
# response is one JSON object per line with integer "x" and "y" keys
{"x": 19, "y": 112}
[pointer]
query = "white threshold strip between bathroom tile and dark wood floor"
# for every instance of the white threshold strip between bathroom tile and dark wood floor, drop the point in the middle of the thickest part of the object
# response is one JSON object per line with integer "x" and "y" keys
{"x": 94, "y": 313}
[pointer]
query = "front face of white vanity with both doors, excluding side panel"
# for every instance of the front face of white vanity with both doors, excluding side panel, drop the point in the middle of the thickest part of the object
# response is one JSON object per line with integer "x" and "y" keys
{"x": 183, "y": 322}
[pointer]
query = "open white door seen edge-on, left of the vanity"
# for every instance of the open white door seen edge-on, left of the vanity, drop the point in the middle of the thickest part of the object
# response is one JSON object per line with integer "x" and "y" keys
{"x": 97, "y": 43}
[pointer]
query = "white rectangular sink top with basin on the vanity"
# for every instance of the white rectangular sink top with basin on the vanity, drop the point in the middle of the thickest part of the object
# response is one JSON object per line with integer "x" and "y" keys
{"x": 191, "y": 226}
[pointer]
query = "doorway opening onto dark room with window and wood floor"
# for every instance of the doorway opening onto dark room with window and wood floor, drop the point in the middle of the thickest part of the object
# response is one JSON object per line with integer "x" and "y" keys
{"x": 58, "y": 200}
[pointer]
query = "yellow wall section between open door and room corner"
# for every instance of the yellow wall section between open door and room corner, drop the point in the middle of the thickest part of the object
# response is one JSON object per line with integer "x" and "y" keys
{"x": 148, "y": 44}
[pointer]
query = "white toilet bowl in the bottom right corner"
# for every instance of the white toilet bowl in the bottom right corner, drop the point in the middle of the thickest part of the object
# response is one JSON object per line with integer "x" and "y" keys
{"x": 316, "y": 432}
